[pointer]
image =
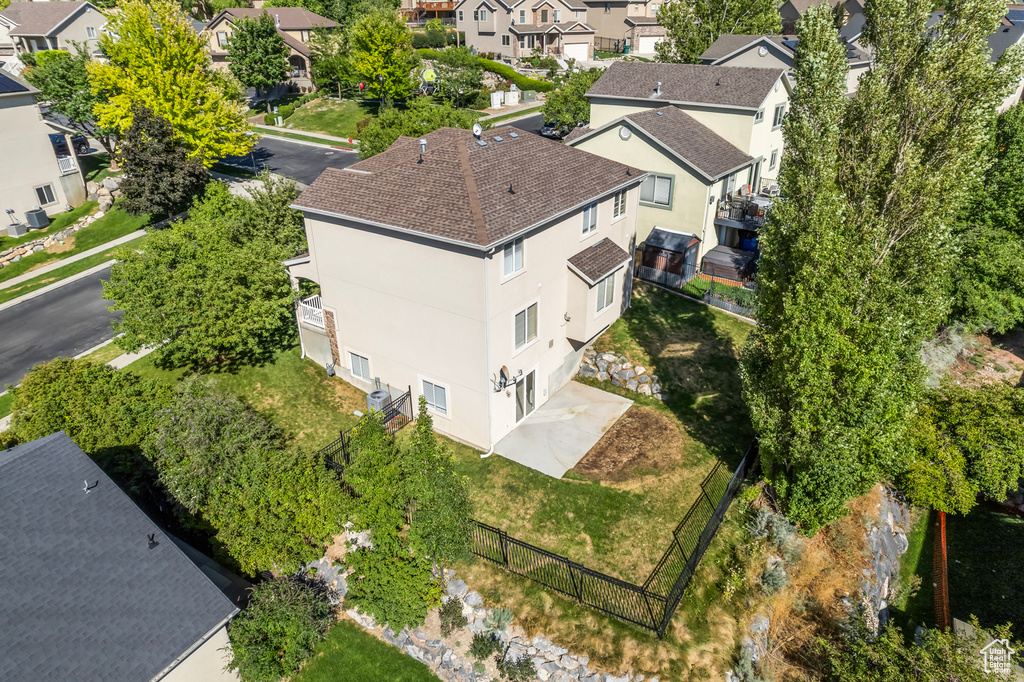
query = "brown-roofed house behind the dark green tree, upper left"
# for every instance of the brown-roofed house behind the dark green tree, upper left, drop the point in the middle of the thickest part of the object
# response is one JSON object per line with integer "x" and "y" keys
{"x": 294, "y": 25}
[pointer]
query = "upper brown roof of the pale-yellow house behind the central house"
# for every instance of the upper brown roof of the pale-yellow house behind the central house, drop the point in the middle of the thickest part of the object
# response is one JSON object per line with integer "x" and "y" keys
{"x": 728, "y": 87}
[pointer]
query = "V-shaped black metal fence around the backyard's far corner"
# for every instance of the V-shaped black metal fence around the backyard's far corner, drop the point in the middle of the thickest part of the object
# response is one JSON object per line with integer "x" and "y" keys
{"x": 651, "y": 606}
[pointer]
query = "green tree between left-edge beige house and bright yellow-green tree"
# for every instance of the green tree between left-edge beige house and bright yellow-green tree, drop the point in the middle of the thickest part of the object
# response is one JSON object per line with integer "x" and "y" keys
{"x": 64, "y": 84}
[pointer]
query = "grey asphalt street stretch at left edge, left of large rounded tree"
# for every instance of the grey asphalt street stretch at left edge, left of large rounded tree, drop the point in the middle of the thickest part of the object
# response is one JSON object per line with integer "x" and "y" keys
{"x": 67, "y": 321}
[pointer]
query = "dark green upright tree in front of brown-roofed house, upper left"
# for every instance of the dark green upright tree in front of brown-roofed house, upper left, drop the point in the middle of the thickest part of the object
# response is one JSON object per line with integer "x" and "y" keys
{"x": 258, "y": 55}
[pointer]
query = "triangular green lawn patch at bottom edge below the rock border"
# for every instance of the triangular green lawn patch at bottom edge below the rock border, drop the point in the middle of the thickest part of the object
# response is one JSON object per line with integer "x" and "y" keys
{"x": 351, "y": 655}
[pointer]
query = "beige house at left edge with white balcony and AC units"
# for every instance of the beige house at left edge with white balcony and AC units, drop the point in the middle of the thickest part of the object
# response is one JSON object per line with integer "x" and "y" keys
{"x": 35, "y": 173}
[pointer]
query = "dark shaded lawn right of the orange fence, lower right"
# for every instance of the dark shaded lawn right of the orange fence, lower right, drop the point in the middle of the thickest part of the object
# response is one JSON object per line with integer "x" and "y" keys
{"x": 987, "y": 552}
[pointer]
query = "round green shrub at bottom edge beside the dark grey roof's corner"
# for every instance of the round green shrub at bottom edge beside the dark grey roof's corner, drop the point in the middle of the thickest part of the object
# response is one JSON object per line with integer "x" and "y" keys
{"x": 273, "y": 637}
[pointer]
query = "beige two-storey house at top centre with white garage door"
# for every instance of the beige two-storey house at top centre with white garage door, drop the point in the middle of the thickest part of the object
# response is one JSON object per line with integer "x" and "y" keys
{"x": 526, "y": 29}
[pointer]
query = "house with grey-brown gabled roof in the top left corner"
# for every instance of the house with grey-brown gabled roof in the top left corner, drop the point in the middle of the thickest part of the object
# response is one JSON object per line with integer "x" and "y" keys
{"x": 32, "y": 27}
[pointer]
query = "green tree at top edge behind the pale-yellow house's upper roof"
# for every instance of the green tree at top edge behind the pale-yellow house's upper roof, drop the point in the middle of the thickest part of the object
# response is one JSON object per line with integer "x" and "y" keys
{"x": 692, "y": 26}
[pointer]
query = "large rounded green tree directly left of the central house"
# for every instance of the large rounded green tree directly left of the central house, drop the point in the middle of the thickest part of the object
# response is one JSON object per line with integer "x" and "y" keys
{"x": 212, "y": 287}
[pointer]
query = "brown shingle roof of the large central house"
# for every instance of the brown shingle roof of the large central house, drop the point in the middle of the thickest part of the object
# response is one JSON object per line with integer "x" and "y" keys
{"x": 466, "y": 193}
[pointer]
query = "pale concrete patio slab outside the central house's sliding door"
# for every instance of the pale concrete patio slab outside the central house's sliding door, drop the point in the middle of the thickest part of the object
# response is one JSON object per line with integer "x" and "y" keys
{"x": 562, "y": 432}
